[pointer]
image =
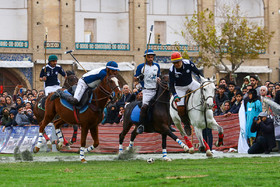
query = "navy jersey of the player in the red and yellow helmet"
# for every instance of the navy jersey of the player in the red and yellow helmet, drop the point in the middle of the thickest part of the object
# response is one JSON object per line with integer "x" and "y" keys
{"x": 182, "y": 76}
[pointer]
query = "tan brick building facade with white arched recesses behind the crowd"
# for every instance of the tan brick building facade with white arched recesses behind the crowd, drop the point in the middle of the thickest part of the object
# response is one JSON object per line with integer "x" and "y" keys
{"x": 102, "y": 30}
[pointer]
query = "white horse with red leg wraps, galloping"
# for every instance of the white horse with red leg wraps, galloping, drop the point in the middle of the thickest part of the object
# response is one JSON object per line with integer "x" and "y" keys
{"x": 199, "y": 110}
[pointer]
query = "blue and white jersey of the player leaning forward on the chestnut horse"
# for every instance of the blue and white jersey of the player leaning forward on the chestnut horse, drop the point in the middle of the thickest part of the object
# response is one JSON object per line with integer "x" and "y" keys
{"x": 94, "y": 77}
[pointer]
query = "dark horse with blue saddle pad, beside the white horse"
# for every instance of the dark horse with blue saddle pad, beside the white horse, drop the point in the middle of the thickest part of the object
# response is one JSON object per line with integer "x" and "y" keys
{"x": 159, "y": 123}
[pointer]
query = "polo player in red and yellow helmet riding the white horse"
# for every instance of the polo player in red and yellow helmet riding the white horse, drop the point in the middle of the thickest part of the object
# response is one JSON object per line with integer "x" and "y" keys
{"x": 180, "y": 81}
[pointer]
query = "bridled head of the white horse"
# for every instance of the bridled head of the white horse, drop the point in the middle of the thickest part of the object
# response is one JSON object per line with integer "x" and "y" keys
{"x": 207, "y": 92}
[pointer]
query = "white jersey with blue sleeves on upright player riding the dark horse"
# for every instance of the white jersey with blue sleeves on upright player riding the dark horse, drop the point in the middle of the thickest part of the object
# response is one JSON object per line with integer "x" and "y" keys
{"x": 150, "y": 75}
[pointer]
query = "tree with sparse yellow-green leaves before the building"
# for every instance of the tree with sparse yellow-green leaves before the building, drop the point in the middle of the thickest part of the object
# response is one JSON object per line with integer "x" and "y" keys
{"x": 233, "y": 40}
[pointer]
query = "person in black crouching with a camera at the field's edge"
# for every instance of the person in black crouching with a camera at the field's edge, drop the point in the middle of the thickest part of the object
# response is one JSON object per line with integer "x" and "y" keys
{"x": 265, "y": 139}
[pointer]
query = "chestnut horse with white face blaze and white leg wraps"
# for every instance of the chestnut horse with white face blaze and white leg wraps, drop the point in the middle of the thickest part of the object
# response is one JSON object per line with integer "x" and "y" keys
{"x": 88, "y": 120}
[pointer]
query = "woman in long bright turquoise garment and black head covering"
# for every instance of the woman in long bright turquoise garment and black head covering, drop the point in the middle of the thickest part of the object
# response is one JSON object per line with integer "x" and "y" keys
{"x": 254, "y": 107}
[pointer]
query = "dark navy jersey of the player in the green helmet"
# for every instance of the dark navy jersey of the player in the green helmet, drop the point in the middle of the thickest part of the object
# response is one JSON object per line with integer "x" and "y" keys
{"x": 51, "y": 74}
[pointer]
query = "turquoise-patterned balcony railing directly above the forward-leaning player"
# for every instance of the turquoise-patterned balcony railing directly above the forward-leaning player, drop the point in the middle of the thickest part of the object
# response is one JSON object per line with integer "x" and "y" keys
{"x": 102, "y": 46}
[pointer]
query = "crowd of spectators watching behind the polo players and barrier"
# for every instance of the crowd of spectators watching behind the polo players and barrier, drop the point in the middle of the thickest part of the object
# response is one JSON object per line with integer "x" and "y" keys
{"x": 17, "y": 109}
